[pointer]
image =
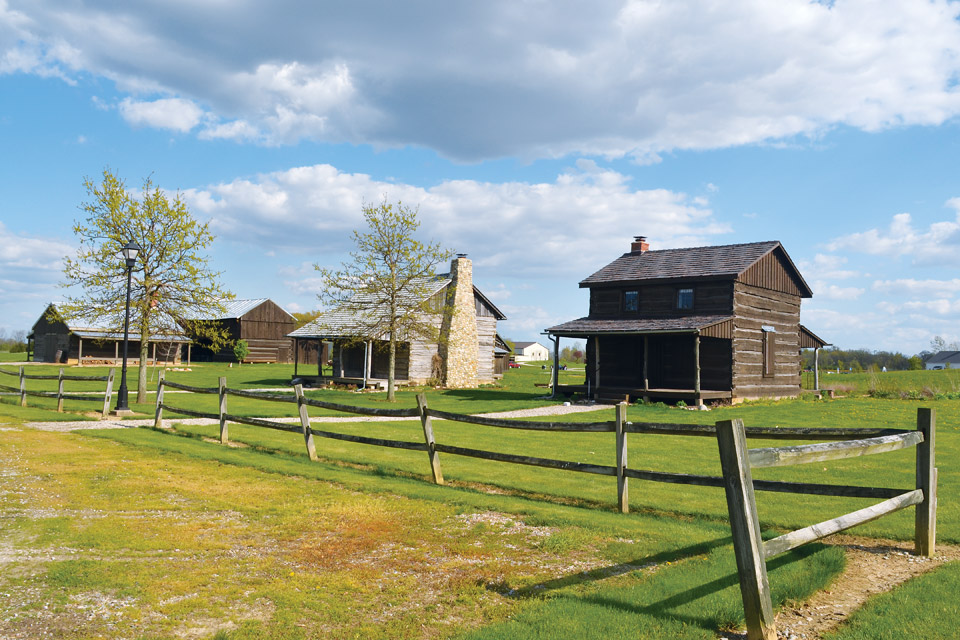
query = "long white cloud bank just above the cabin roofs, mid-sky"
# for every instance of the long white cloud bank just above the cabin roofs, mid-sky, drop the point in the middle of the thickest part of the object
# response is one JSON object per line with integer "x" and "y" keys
{"x": 566, "y": 228}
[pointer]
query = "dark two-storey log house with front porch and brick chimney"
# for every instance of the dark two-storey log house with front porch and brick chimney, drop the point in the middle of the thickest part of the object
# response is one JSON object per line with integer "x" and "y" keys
{"x": 694, "y": 324}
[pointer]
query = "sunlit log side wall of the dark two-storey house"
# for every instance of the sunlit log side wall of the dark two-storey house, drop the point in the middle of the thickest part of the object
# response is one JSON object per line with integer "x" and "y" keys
{"x": 756, "y": 307}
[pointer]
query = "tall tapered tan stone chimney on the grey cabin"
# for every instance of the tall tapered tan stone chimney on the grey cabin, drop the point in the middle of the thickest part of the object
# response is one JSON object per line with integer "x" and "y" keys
{"x": 458, "y": 345}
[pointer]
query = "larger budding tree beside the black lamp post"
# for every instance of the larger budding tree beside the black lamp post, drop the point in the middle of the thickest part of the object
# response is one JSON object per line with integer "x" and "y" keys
{"x": 172, "y": 281}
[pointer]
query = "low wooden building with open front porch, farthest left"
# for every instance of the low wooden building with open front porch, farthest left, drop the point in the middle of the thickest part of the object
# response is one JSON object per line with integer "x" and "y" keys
{"x": 86, "y": 341}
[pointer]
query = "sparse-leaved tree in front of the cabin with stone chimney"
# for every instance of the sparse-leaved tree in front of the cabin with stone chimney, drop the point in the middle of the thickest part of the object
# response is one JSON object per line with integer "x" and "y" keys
{"x": 386, "y": 286}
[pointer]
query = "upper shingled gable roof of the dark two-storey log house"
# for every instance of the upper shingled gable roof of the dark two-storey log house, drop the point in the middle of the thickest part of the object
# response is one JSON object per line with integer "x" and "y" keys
{"x": 717, "y": 262}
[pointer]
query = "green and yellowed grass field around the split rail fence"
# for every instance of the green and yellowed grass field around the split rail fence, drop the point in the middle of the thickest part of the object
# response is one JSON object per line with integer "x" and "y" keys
{"x": 143, "y": 533}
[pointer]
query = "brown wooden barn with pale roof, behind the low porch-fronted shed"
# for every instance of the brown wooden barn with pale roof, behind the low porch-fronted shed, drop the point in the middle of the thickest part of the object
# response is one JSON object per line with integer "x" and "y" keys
{"x": 261, "y": 322}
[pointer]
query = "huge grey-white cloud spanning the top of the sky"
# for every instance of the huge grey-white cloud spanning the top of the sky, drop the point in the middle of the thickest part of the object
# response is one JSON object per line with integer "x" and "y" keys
{"x": 498, "y": 78}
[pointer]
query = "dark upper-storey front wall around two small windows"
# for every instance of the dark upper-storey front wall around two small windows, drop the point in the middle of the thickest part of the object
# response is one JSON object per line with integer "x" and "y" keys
{"x": 660, "y": 300}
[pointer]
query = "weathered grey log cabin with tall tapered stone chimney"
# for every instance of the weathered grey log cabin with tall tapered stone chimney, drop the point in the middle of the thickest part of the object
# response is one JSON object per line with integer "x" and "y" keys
{"x": 364, "y": 360}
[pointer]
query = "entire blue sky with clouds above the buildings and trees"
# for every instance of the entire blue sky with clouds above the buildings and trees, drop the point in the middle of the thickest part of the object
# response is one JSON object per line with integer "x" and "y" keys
{"x": 538, "y": 137}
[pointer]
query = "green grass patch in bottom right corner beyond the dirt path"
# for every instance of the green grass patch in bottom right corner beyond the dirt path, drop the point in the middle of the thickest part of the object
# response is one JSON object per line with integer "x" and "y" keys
{"x": 925, "y": 607}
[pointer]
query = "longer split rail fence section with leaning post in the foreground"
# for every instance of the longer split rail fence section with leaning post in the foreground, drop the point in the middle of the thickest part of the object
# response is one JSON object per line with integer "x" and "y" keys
{"x": 735, "y": 458}
